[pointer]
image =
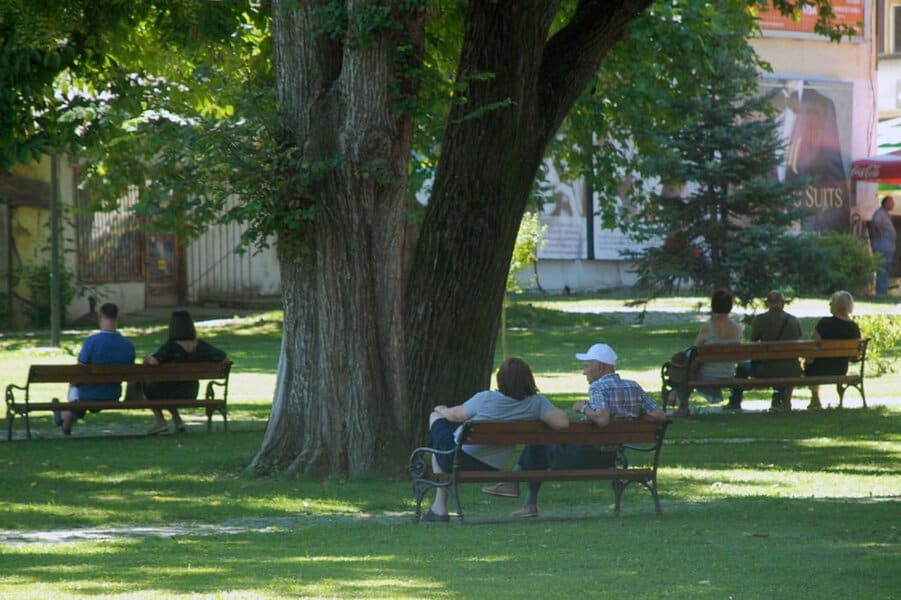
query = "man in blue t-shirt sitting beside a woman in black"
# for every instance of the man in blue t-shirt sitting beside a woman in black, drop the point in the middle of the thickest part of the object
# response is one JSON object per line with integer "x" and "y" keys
{"x": 107, "y": 347}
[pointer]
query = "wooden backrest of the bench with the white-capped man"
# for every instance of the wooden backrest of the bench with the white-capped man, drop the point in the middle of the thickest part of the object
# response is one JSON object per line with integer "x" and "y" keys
{"x": 510, "y": 433}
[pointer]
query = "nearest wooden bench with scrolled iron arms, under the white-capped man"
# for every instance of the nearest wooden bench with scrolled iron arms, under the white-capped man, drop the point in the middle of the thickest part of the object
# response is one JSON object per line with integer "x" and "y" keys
{"x": 620, "y": 436}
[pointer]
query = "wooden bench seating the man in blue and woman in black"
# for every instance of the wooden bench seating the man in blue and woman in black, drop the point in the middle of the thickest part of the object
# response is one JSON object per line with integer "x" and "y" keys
{"x": 215, "y": 372}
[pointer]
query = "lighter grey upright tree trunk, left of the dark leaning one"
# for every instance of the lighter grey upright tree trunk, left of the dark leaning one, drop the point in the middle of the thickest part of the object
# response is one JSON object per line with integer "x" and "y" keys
{"x": 339, "y": 396}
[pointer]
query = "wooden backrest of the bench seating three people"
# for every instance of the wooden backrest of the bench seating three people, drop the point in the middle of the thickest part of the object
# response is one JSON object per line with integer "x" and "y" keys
{"x": 853, "y": 349}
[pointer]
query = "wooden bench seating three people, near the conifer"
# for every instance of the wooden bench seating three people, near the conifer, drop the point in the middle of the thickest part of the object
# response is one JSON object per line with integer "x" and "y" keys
{"x": 855, "y": 350}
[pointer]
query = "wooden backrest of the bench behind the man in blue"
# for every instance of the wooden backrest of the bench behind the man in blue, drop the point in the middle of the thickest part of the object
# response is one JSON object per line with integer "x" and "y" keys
{"x": 80, "y": 374}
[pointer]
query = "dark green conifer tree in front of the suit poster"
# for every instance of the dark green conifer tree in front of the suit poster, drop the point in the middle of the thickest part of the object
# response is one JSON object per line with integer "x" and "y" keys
{"x": 722, "y": 219}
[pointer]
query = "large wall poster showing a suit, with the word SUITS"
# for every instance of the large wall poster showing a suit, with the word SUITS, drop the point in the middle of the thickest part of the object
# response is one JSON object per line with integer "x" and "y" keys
{"x": 815, "y": 119}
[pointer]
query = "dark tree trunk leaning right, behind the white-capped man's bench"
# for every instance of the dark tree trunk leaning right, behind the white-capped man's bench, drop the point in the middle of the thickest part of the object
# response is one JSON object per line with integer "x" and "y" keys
{"x": 487, "y": 167}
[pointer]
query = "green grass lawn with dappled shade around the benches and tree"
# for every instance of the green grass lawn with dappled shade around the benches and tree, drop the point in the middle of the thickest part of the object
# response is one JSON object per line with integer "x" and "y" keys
{"x": 755, "y": 505}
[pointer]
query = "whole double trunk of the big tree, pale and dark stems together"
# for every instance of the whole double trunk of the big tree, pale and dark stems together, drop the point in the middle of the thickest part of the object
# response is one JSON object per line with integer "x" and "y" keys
{"x": 346, "y": 353}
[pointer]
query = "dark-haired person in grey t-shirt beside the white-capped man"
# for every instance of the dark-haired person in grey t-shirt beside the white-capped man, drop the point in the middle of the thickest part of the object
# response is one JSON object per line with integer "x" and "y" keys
{"x": 517, "y": 399}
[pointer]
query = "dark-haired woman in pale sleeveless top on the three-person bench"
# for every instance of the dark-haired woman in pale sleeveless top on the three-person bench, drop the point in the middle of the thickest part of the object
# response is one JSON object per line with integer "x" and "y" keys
{"x": 720, "y": 329}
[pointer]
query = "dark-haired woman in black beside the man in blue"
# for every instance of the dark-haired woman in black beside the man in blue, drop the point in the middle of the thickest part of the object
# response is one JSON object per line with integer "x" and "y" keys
{"x": 182, "y": 346}
